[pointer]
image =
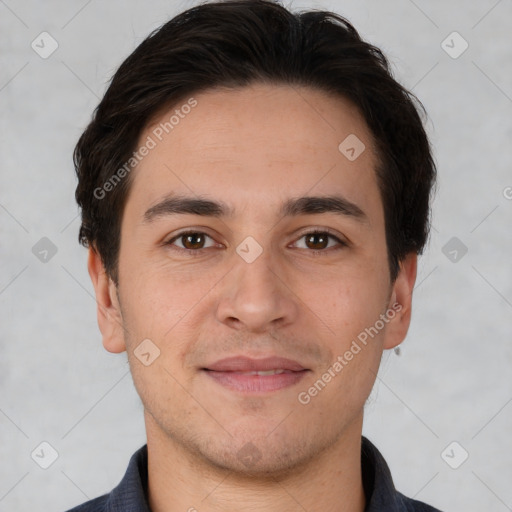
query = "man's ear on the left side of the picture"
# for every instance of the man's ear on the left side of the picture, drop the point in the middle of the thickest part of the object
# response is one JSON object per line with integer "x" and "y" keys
{"x": 110, "y": 320}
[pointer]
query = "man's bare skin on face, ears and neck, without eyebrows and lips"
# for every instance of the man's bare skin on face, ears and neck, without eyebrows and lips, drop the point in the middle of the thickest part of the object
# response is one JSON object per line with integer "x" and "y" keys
{"x": 254, "y": 148}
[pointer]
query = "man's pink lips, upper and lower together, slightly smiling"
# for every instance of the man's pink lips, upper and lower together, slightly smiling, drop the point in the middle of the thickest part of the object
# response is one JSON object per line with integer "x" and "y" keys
{"x": 231, "y": 374}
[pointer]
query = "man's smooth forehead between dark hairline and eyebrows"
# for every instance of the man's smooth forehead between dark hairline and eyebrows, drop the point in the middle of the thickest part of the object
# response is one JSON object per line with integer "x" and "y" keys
{"x": 257, "y": 145}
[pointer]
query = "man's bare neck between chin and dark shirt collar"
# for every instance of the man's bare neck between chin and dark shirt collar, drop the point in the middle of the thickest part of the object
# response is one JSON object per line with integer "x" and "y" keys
{"x": 182, "y": 481}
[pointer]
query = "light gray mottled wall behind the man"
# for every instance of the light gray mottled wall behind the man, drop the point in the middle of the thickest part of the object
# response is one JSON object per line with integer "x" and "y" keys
{"x": 452, "y": 381}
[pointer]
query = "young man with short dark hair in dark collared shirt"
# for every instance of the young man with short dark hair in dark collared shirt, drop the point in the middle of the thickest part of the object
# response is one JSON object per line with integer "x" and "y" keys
{"x": 255, "y": 191}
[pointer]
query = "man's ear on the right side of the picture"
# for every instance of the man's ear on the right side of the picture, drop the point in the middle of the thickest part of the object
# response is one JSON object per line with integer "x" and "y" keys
{"x": 401, "y": 302}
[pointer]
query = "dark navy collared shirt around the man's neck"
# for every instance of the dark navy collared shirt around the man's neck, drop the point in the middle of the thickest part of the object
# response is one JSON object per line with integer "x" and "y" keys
{"x": 381, "y": 496}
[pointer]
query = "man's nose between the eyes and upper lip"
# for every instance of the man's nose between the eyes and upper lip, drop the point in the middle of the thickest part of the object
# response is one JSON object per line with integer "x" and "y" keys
{"x": 257, "y": 296}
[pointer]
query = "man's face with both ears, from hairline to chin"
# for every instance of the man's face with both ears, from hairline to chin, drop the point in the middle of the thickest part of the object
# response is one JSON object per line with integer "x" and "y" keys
{"x": 284, "y": 258}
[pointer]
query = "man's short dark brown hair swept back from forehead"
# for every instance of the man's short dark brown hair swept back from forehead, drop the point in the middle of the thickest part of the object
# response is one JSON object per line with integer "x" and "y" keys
{"x": 235, "y": 43}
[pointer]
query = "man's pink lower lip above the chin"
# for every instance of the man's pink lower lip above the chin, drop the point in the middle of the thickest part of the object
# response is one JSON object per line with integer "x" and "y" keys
{"x": 256, "y": 383}
